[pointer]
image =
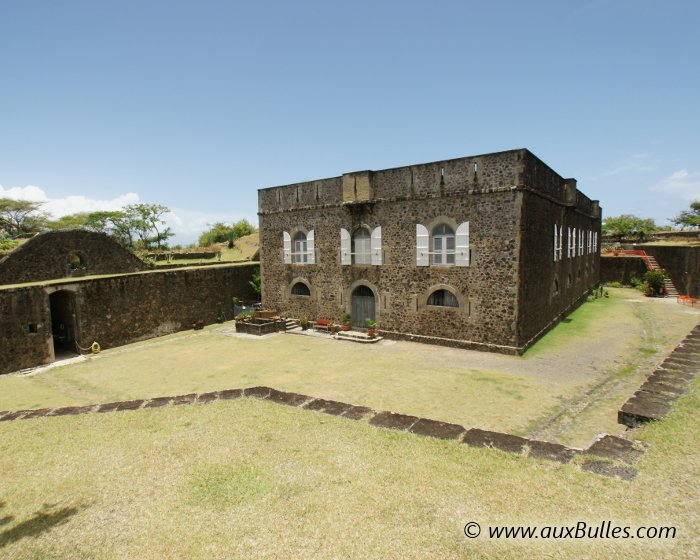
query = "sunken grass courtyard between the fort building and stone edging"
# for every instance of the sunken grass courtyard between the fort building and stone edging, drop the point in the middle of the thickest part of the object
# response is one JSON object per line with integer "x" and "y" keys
{"x": 475, "y": 389}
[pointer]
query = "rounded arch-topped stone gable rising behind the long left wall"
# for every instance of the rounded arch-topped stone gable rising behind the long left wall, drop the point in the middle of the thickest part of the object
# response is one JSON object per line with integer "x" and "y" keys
{"x": 47, "y": 255}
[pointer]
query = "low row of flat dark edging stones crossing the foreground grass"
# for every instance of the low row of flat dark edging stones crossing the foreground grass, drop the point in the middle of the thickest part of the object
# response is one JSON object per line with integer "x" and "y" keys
{"x": 609, "y": 456}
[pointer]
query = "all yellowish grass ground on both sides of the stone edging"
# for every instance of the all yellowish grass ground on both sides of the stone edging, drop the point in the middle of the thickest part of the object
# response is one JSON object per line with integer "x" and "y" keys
{"x": 247, "y": 478}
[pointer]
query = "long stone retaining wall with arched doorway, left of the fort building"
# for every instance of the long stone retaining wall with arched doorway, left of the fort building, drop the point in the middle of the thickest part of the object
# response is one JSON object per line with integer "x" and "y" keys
{"x": 117, "y": 310}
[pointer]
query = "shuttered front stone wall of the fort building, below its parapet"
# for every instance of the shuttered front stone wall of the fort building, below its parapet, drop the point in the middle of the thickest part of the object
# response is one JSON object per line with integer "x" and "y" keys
{"x": 487, "y": 285}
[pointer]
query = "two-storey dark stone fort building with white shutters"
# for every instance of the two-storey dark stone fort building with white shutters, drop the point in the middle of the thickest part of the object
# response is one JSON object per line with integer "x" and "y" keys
{"x": 485, "y": 252}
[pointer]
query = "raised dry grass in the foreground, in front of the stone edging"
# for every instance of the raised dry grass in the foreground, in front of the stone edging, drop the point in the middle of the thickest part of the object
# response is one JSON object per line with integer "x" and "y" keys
{"x": 251, "y": 479}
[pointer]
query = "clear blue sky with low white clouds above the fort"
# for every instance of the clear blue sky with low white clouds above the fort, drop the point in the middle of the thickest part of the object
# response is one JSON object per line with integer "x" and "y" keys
{"x": 198, "y": 104}
